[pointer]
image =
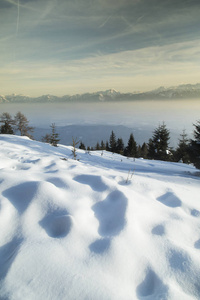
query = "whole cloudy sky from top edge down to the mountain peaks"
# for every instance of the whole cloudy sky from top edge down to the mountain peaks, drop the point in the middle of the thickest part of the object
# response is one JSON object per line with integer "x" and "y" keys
{"x": 74, "y": 46}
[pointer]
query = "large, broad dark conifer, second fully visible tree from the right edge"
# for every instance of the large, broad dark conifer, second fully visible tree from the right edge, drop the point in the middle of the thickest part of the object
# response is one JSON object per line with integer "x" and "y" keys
{"x": 160, "y": 140}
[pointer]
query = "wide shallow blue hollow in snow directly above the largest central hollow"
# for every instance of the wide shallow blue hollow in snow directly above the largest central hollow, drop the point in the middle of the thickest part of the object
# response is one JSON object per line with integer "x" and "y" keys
{"x": 94, "y": 181}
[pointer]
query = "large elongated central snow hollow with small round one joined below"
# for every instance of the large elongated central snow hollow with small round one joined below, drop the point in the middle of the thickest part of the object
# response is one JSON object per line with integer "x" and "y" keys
{"x": 111, "y": 216}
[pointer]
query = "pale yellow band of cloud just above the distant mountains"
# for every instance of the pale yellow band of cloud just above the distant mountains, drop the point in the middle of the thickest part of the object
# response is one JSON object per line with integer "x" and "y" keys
{"x": 148, "y": 62}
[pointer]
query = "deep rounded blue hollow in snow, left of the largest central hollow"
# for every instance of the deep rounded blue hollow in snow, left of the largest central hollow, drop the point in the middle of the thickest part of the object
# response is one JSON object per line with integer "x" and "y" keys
{"x": 57, "y": 225}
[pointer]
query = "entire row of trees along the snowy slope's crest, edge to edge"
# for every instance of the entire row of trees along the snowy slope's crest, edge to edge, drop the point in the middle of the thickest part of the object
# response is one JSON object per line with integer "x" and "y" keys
{"x": 187, "y": 151}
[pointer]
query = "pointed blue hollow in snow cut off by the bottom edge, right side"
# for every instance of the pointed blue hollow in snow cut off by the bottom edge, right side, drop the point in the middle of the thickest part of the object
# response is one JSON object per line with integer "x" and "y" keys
{"x": 152, "y": 287}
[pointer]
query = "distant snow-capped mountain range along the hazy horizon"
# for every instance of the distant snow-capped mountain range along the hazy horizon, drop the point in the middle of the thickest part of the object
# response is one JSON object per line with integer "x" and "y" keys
{"x": 185, "y": 91}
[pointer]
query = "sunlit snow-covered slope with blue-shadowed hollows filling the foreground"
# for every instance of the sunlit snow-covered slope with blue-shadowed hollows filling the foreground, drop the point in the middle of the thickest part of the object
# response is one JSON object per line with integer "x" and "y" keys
{"x": 78, "y": 230}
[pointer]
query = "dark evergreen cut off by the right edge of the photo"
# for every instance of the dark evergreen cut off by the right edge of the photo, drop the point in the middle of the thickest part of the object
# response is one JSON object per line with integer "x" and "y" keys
{"x": 195, "y": 146}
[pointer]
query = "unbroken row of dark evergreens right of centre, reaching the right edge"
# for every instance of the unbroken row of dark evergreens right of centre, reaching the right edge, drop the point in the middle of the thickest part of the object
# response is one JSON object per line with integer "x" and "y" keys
{"x": 187, "y": 151}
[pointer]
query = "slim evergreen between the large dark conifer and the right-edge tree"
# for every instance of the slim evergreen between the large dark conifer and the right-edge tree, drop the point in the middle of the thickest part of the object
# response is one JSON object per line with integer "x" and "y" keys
{"x": 182, "y": 151}
